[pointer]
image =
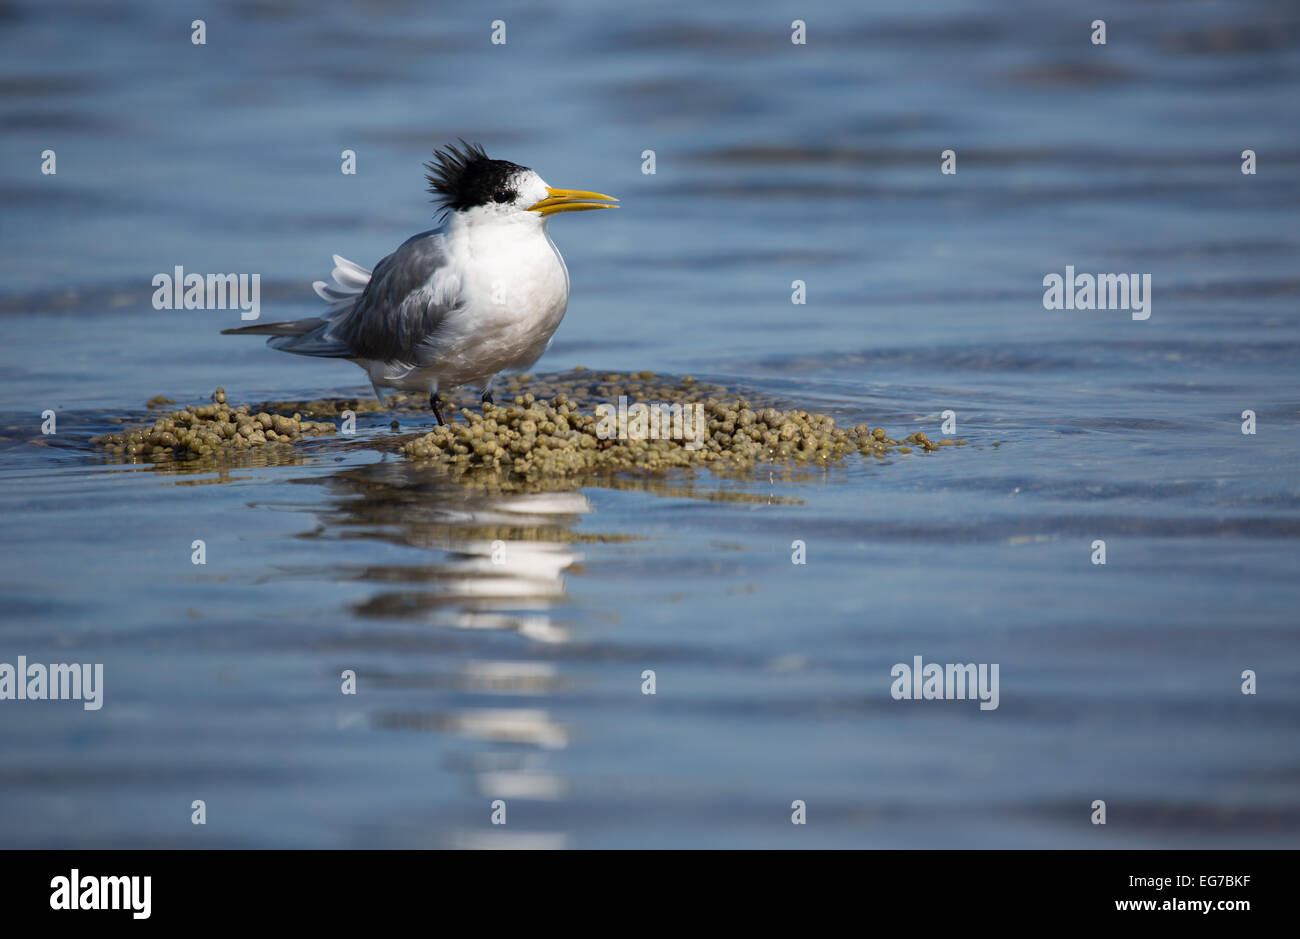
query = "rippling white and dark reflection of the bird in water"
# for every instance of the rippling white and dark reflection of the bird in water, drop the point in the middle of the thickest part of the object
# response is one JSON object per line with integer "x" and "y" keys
{"x": 499, "y": 565}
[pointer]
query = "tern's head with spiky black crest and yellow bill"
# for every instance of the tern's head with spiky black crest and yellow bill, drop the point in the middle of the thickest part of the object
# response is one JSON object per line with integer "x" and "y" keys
{"x": 466, "y": 180}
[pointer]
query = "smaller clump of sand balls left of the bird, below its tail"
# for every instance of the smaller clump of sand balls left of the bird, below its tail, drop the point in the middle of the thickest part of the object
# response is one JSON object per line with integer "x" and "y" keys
{"x": 210, "y": 431}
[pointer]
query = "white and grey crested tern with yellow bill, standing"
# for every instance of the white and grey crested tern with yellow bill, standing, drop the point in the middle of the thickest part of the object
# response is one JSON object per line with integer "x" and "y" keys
{"x": 456, "y": 306}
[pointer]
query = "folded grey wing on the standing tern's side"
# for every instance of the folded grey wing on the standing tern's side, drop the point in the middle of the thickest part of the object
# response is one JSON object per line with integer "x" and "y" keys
{"x": 404, "y": 305}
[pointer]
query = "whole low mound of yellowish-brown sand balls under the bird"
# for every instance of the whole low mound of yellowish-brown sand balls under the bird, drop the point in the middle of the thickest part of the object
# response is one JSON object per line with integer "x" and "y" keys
{"x": 545, "y": 427}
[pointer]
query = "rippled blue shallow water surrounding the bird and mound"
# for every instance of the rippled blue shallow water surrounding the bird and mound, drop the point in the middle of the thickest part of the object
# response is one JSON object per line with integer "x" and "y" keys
{"x": 774, "y": 163}
